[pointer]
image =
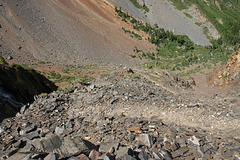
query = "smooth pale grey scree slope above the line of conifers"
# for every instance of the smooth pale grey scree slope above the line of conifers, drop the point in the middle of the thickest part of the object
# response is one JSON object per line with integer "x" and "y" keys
{"x": 166, "y": 16}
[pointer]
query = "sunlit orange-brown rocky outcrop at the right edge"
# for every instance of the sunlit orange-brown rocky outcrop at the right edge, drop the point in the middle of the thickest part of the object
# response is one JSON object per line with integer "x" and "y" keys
{"x": 228, "y": 73}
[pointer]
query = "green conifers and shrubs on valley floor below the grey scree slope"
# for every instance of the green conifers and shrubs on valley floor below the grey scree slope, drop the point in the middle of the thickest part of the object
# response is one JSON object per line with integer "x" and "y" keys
{"x": 176, "y": 52}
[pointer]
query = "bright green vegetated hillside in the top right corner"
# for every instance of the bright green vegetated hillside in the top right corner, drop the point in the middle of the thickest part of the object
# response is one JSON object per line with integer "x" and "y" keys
{"x": 228, "y": 12}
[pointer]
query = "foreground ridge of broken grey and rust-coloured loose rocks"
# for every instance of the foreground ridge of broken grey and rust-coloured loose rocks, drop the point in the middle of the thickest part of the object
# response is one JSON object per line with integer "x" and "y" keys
{"x": 122, "y": 116}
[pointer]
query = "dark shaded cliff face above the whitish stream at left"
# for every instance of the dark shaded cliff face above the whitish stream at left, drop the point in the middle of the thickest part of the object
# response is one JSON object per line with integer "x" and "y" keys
{"x": 24, "y": 84}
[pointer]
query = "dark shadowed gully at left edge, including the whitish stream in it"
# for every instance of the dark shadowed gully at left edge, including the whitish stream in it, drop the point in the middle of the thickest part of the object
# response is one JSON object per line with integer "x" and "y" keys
{"x": 18, "y": 86}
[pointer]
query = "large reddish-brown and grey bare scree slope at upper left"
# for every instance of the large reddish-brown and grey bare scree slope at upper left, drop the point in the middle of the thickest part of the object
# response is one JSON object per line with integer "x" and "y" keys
{"x": 65, "y": 31}
